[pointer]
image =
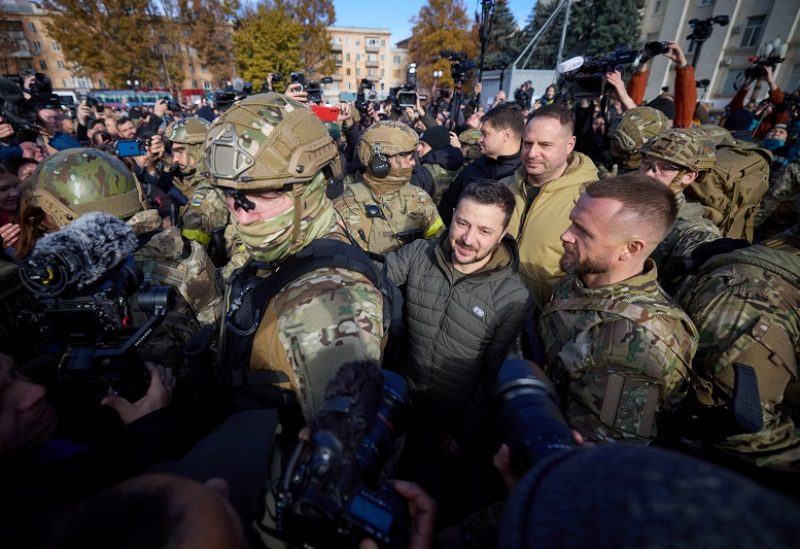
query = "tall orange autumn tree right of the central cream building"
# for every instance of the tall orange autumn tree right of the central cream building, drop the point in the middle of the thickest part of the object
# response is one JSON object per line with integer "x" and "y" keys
{"x": 440, "y": 25}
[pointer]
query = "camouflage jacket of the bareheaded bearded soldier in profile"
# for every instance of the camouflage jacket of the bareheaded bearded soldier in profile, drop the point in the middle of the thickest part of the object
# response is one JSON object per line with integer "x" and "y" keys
{"x": 619, "y": 355}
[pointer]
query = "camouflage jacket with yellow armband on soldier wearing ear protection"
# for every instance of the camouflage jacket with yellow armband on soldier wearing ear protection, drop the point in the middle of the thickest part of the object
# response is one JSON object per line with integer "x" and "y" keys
{"x": 404, "y": 215}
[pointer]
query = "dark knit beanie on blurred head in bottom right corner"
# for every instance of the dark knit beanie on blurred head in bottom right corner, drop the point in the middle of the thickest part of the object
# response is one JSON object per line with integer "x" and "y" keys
{"x": 621, "y": 495}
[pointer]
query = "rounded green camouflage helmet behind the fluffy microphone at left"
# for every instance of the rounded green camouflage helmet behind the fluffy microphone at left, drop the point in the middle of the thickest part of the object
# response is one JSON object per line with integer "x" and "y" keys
{"x": 76, "y": 181}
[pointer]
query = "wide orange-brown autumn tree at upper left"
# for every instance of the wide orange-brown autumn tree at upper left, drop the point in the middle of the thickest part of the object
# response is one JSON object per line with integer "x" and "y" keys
{"x": 123, "y": 39}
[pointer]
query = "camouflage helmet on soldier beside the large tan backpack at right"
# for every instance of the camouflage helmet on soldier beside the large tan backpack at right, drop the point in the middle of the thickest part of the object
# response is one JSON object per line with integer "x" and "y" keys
{"x": 682, "y": 147}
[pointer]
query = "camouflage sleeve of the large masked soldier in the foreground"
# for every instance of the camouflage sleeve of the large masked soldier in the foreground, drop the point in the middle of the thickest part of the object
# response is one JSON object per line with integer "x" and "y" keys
{"x": 328, "y": 317}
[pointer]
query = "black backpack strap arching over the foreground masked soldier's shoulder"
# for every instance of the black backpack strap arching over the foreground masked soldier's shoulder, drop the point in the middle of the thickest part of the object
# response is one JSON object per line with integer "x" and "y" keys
{"x": 250, "y": 297}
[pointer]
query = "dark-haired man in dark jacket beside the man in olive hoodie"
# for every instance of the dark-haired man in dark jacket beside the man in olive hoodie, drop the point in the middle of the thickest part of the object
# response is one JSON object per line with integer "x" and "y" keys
{"x": 501, "y": 135}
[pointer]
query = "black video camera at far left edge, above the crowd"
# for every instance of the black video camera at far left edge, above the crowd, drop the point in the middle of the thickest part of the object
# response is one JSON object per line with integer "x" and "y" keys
{"x": 15, "y": 109}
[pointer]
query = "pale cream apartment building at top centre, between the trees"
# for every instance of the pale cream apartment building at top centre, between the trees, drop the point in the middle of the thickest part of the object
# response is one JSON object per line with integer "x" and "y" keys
{"x": 364, "y": 53}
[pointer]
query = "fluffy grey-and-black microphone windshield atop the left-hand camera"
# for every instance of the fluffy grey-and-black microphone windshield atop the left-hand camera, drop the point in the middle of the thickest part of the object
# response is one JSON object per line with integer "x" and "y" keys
{"x": 79, "y": 254}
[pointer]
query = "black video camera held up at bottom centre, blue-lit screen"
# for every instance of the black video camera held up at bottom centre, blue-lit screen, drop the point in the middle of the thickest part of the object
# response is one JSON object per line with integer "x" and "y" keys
{"x": 331, "y": 493}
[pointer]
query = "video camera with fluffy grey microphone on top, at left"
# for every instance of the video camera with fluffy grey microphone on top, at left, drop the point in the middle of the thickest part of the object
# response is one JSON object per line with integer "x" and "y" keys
{"x": 88, "y": 292}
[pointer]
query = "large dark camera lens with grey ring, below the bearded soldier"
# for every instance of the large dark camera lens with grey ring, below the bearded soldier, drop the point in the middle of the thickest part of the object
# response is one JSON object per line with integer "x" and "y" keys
{"x": 529, "y": 417}
